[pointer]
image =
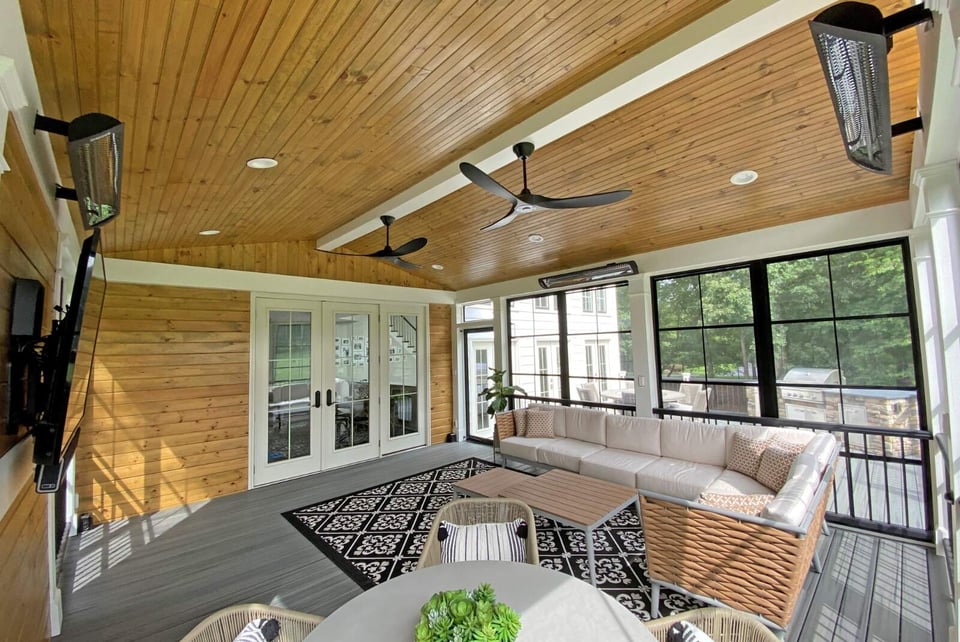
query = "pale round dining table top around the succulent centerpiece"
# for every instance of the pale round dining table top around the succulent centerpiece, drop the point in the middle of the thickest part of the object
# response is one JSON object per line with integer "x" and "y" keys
{"x": 552, "y": 606}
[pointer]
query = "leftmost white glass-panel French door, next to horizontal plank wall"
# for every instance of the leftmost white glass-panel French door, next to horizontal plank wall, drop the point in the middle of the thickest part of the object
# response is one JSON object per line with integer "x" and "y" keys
{"x": 285, "y": 419}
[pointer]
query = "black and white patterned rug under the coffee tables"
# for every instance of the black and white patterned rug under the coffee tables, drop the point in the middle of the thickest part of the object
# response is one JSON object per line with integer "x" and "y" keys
{"x": 378, "y": 533}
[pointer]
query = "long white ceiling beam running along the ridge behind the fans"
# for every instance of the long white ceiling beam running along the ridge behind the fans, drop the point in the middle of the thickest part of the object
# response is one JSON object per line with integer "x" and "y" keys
{"x": 728, "y": 28}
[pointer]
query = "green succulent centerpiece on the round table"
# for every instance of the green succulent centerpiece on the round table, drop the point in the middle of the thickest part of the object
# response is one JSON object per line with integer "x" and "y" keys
{"x": 467, "y": 616}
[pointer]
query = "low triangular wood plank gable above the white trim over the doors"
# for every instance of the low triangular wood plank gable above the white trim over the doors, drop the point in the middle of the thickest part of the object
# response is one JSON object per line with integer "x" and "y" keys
{"x": 292, "y": 259}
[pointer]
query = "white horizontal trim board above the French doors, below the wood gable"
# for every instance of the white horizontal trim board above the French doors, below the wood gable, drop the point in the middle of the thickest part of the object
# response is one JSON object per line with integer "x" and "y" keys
{"x": 147, "y": 273}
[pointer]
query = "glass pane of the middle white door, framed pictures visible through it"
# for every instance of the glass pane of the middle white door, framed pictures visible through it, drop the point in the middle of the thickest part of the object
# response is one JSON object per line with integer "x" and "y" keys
{"x": 352, "y": 382}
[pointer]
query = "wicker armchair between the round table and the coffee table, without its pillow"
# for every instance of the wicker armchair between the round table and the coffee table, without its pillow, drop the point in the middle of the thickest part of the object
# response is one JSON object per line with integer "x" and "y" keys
{"x": 480, "y": 511}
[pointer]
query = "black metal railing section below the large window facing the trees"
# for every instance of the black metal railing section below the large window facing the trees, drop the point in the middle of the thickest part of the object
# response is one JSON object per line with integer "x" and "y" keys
{"x": 882, "y": 480}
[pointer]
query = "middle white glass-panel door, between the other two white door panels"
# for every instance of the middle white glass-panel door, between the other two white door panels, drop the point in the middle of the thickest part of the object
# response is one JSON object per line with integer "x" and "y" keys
{"x": 351, "y": 345}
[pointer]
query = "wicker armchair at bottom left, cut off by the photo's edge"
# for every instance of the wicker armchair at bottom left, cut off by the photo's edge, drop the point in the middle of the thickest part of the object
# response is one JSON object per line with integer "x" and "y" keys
{"x": 226, "y": 624}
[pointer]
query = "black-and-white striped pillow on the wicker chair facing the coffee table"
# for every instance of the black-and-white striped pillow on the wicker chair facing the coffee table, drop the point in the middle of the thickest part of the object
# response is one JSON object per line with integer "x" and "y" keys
{"x": 502, "y": 542}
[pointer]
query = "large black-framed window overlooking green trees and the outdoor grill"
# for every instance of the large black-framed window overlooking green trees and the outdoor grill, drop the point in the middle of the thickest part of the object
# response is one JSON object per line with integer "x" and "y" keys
{"x": 828, "y": 337}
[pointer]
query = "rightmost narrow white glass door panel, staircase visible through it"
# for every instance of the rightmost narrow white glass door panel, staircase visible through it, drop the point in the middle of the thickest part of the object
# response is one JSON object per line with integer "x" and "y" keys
{"x": 403, "y": 334}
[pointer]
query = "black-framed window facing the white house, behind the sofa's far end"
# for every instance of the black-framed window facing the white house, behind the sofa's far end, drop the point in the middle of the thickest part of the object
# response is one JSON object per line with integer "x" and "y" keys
{"x": 575, "y": 344}
